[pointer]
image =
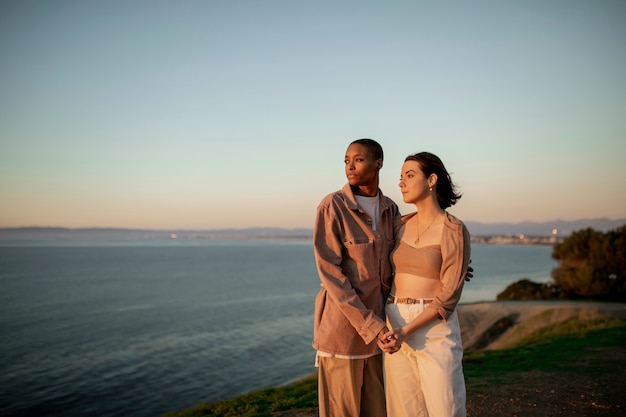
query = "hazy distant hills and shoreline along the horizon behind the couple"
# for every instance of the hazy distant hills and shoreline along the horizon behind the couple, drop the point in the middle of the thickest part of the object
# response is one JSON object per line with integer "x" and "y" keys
{"x": 562, "y": 227}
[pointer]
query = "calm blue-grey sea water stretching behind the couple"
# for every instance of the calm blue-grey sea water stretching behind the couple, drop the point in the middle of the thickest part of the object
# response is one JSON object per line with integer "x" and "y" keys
{"x": 118, "y": 329}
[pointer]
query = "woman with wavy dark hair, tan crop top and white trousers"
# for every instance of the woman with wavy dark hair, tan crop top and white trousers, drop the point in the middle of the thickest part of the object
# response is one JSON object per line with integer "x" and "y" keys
{"x": 430, "y": 260}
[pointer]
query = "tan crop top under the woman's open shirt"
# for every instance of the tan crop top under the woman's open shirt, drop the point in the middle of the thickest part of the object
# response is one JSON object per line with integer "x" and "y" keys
{"x": 424, "y": 261}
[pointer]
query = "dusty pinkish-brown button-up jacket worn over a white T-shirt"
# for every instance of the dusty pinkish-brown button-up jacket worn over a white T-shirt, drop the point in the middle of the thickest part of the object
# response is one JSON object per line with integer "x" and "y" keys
{"x": 355, "y": 273}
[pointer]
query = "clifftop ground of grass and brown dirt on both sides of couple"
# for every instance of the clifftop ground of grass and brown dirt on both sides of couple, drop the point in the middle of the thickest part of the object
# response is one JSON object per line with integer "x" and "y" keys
{"x": 573, "y": 365}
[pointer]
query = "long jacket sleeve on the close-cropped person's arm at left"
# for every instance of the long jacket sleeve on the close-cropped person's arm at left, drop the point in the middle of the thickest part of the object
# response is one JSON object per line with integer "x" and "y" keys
{"x": 329, "y": 252}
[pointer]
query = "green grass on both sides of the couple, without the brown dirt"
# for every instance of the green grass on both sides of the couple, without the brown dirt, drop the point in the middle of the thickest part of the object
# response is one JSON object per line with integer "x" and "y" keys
{"x": 551, "y": 350}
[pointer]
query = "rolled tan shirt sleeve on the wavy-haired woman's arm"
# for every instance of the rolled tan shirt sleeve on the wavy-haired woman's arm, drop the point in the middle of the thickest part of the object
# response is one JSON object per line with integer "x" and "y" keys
{"x": 456, "y": 256}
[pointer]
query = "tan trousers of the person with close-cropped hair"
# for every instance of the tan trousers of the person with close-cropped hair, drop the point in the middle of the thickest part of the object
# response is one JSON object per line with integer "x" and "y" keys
{"x": 351, "y": 387}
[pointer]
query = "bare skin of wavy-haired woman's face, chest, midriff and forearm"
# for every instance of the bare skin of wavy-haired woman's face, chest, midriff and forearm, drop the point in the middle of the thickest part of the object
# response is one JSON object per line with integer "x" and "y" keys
{"x": 428, "y": 226}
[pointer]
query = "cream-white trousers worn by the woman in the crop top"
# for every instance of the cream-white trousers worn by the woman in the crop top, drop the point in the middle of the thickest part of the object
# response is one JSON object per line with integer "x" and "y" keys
{"x": 425, "y": 377}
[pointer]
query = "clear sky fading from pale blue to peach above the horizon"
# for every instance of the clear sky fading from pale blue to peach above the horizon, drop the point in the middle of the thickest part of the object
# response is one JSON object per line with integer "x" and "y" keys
{"x": 234, "y": 114}
